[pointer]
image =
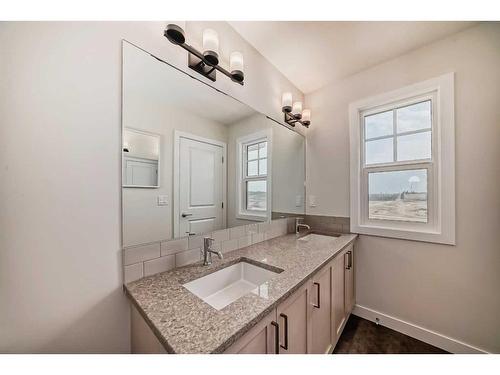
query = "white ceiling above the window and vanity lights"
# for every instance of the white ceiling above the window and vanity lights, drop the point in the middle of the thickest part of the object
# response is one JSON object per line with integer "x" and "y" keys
{"x": 312, "y": 54}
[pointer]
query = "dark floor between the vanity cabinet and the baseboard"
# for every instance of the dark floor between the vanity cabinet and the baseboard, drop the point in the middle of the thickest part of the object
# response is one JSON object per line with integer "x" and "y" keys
{"x": 360, "y": 336}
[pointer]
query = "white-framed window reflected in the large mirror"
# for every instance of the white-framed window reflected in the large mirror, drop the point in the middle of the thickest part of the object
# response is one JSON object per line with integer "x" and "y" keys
{"x": 253, "y": 177}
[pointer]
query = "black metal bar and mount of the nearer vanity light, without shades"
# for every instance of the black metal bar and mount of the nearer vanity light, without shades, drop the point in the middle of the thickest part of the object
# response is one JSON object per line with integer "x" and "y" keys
{"x": 201, "y": 63}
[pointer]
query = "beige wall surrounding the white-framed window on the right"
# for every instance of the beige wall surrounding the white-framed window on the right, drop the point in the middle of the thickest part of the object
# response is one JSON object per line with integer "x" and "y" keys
{"x": 452, "y": 290}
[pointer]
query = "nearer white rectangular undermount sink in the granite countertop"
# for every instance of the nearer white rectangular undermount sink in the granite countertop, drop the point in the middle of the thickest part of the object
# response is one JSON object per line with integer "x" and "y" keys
{"x": 225, "y": 286}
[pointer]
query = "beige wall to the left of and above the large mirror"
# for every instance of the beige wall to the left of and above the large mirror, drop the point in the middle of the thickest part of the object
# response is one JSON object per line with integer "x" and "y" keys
{"x": 60, "y": 239}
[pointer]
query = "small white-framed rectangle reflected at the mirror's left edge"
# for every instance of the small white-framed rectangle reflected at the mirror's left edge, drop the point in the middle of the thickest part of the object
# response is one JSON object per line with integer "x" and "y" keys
{"x": 141, "y": 159}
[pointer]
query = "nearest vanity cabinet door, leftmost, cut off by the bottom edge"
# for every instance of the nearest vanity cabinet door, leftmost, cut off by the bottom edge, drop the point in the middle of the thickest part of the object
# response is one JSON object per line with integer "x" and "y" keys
{"x": 261, "y": 339}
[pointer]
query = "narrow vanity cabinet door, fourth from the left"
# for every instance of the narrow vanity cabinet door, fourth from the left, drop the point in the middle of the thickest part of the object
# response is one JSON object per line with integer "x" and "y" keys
{"x": 338, "y": 294}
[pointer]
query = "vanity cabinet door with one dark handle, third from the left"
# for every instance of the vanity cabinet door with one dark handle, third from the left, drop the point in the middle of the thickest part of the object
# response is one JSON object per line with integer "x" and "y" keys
{"x": 321, "y": 312}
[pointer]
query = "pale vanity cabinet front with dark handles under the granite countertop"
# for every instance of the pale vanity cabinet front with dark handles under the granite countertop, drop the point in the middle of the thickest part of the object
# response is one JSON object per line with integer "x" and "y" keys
{"x": 311, "y": 320}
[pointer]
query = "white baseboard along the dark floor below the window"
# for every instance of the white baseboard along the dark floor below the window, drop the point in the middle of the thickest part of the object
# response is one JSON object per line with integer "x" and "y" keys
{"x": 420, "y": 333}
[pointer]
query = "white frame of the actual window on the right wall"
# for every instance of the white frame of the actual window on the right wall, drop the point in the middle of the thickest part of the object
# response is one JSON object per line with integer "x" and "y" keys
{"x": 440, "y": 227}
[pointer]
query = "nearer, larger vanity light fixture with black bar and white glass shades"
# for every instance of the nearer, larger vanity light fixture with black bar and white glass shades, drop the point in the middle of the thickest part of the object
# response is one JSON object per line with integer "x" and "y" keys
{"x": 207, "y": 63}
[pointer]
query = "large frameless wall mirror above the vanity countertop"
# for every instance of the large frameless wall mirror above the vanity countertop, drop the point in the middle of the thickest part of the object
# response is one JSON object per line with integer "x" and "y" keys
{"x": 195, "y": 160}
